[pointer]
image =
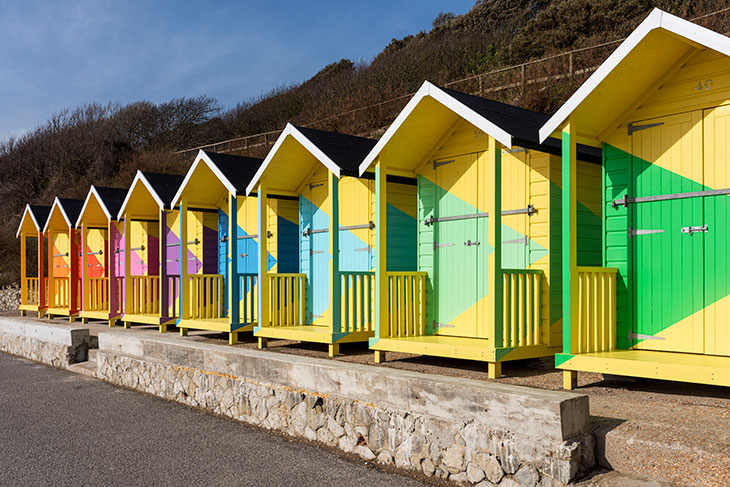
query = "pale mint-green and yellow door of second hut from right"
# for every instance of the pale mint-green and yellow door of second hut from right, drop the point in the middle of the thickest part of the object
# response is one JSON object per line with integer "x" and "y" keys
{"x": 456, "y": 246}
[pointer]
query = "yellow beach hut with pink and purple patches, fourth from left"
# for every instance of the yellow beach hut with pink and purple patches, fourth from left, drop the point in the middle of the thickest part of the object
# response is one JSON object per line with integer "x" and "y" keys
{"x": 148, "y": 251}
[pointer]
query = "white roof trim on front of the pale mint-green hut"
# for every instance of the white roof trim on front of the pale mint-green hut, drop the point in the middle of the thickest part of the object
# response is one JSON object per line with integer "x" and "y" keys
{"x": 429, "y": 89}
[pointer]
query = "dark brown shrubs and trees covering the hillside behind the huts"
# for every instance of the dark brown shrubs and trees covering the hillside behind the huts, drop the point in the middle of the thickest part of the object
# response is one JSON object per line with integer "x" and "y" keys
{"x": 106, "y": 144}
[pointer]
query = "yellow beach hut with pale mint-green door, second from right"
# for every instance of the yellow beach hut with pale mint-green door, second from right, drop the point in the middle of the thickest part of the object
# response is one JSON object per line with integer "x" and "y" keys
{"x": 485, "y": 282}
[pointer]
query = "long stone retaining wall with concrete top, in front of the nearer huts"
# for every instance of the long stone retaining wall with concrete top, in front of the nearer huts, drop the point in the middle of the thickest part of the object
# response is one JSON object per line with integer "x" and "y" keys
{"x": 482, "y": 433}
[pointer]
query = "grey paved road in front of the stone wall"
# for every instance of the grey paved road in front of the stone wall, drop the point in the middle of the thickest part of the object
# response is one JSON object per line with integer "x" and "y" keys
{"x": 60, "y": 428}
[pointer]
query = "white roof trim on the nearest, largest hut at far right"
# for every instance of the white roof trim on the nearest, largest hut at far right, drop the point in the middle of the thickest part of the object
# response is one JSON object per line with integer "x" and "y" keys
{"x": 657, "y": 19}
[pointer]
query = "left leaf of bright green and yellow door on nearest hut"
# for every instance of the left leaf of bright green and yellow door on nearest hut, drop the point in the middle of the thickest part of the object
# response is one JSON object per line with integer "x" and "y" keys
{"x": 668, "y": 278}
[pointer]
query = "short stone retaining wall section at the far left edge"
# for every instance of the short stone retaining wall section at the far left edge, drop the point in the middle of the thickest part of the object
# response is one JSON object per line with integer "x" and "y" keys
{"x": 56, "y": 345}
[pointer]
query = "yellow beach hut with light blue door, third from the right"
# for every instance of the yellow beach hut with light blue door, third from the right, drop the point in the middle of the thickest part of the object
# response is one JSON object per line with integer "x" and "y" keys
{"x": 324, "y": 299}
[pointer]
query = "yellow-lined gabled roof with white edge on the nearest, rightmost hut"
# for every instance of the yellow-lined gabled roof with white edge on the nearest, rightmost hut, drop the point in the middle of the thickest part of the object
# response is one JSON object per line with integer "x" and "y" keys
{"x": 641, "y": 55}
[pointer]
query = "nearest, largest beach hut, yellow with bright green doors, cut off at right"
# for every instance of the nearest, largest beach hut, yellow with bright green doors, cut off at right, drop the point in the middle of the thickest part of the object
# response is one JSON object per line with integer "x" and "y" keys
{"x": 657, "y": 306}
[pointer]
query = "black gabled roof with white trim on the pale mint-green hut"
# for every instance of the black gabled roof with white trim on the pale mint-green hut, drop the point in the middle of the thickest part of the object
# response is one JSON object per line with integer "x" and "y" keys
{"x": 509, "y": 125}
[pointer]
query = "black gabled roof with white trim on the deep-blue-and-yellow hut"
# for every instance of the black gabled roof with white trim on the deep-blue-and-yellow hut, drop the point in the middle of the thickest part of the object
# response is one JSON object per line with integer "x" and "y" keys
{"x": 234, "y": 172}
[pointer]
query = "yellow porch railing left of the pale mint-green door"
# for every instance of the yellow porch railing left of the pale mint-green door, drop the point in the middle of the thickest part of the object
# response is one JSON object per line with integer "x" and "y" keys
{"x": 407, "y": 304}
